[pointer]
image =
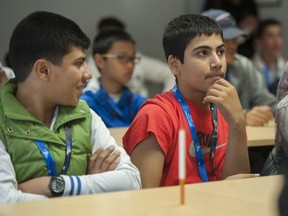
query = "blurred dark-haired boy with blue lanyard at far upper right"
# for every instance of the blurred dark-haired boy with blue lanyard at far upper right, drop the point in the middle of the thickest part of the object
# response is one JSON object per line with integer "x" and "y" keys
{"x": 268, "y": 59}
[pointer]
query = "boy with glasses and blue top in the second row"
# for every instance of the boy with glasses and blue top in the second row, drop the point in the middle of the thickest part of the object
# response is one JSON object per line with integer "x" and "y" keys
{"x": 115, "y": 56}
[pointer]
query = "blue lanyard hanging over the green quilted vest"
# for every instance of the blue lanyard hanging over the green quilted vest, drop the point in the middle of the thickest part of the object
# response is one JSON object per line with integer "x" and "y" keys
{"x": 48, "y": 157}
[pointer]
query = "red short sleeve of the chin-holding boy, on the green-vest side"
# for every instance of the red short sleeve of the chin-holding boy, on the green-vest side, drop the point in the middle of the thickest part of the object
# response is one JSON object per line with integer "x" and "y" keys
{"x": 148, "y": 121}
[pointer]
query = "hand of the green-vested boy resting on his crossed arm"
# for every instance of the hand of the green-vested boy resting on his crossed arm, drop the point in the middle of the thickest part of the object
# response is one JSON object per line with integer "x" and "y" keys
{"x": 103, "y": 160}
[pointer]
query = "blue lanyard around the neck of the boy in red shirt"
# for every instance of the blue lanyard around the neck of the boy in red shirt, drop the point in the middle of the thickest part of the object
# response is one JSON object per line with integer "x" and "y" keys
{"x": 197, "y": 146}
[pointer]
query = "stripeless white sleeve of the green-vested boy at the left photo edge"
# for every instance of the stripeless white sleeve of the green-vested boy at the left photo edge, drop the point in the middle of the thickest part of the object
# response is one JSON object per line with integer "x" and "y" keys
{"x": 9, "y": 192}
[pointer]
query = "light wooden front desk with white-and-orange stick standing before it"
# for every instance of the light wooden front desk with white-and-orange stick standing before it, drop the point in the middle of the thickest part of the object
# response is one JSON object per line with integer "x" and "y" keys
{"x": 254, "y": 196}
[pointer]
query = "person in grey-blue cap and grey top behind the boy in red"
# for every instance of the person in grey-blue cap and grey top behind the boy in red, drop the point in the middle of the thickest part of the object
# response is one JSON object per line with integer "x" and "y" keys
{"x": 258, "y": 103}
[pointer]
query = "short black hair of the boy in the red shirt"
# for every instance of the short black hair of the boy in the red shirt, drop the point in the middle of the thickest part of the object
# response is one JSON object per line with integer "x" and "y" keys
{"x": 180, "y": 31}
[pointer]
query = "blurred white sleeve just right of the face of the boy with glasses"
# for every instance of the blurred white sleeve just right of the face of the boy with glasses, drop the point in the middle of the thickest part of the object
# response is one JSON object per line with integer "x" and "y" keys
{"x": 157, "y": 72}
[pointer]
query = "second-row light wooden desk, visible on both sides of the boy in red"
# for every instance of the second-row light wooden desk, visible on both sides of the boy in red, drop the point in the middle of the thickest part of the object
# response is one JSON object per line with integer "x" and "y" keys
{"x": 257, "y": 136}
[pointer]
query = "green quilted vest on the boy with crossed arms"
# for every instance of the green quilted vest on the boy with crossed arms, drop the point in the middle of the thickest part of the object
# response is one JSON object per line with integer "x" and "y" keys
{"x": 19, "y": 130}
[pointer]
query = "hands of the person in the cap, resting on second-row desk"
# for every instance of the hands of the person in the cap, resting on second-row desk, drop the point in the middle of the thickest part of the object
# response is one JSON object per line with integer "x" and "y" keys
{"x": 259, "y": 115}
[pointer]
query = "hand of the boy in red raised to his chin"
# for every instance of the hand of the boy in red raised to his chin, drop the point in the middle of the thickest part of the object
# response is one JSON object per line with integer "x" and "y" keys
{"x": 225, "y": 97}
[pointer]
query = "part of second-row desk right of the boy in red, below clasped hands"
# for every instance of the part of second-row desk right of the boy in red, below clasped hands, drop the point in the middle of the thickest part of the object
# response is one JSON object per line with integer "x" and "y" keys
{"x": 261, "y": 136}
